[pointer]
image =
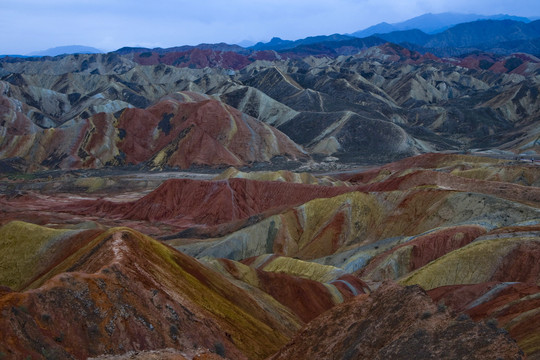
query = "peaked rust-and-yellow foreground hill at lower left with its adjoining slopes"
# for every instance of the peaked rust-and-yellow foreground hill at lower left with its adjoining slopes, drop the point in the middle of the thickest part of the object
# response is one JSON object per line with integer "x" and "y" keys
{"x": 117, "y": 291}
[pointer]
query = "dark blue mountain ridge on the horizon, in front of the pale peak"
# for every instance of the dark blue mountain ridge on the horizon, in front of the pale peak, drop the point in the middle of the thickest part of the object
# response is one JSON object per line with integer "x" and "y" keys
{"x": 496, "y": 36}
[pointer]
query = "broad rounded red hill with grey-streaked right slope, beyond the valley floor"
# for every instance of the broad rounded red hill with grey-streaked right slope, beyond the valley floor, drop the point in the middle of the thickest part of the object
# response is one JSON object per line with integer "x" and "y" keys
{"x": 198, "y": 131}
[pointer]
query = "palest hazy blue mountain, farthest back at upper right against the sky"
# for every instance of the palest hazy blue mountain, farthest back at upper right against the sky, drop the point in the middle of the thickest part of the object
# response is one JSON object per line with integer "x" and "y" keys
{"x": 433, "y": 23}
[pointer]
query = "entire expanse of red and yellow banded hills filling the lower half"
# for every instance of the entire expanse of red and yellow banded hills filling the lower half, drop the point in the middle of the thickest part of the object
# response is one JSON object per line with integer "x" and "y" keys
{"x": 277, "y": 264}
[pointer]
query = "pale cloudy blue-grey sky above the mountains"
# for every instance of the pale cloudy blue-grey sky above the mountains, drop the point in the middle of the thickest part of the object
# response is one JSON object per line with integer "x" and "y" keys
{"x": 34, "y": 25}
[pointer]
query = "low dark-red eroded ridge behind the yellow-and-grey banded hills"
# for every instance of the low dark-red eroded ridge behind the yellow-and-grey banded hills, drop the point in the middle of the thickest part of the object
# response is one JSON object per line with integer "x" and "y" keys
{"x": 201, "y": 202}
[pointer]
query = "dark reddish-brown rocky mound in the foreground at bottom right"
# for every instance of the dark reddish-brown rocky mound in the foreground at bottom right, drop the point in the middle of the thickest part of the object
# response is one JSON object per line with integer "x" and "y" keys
{"x": 396, "y": 323}
